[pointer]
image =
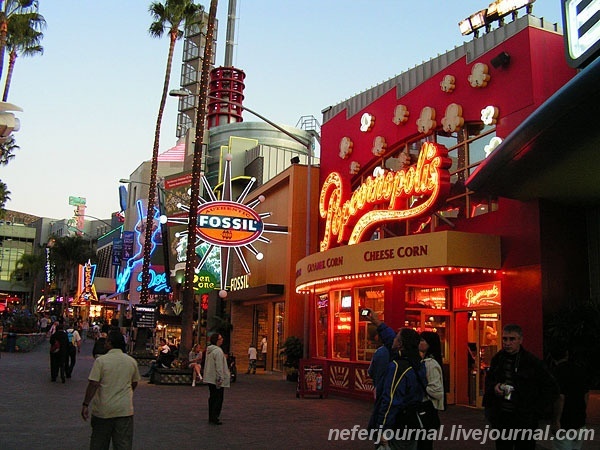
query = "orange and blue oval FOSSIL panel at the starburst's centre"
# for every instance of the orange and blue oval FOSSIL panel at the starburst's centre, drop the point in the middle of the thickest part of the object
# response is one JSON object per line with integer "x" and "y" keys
{"x": 228, "y": 224}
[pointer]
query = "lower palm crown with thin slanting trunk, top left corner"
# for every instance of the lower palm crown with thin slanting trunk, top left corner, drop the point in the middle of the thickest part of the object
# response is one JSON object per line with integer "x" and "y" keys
{"x": 24, "y": 37}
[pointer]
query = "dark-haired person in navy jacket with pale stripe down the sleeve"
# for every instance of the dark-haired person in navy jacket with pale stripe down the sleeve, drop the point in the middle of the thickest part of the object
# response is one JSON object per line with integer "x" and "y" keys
{"x": 402, "y": 390}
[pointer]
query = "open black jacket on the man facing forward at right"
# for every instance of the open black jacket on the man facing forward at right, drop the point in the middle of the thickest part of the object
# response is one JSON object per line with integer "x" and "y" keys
{"x": 535, "y": 389}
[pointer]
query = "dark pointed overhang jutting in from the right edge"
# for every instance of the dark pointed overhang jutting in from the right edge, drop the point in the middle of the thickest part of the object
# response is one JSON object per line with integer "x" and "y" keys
{"x": 555, "y": 153}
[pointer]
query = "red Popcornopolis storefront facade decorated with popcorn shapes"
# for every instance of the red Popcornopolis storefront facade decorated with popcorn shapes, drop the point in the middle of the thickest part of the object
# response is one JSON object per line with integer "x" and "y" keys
{"x": 401, "y": 233}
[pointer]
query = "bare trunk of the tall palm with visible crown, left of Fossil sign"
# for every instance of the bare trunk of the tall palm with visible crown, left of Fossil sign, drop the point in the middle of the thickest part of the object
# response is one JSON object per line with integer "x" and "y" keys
{"x": 144, "y": 295}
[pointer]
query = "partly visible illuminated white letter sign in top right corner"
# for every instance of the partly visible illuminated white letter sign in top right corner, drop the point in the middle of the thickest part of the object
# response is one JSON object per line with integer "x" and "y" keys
{"x": 581, "y": 20}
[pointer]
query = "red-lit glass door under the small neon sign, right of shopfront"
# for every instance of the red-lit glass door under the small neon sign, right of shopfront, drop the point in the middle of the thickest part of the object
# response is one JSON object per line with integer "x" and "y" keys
{"x": 483, "y": 328}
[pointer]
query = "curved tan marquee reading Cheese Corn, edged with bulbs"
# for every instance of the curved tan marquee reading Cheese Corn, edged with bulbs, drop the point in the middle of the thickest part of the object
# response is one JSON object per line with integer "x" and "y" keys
{"x": 448, "y": 252}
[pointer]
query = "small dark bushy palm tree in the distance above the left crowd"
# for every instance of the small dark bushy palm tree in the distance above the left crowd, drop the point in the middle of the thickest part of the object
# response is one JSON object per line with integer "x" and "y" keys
{"x": 66, "y": 255}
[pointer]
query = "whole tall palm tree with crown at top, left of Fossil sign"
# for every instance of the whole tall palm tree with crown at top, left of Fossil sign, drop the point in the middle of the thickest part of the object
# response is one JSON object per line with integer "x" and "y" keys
{"x": 168, "y": 18}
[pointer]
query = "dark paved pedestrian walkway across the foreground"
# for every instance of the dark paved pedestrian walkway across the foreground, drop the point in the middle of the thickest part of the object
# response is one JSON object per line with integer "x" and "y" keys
{"x": 260, "y": 412}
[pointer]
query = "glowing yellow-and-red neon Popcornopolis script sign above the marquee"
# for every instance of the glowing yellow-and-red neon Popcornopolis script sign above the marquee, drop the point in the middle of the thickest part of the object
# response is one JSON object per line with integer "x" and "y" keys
{"x": 389, "y": 196}
